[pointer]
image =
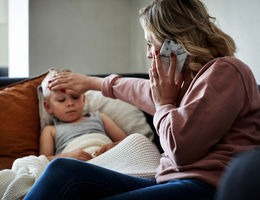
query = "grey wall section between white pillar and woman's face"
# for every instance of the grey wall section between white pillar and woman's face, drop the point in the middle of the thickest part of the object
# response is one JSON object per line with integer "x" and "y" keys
{"x": 86, "y": 36}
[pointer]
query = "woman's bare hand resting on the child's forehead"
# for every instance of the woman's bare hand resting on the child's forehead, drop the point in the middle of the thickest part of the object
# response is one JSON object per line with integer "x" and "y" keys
{"x": 74, "y": 82}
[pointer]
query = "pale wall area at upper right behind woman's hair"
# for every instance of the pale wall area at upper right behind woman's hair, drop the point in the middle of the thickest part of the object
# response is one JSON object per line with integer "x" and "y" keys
{"x": 241, "y": 20}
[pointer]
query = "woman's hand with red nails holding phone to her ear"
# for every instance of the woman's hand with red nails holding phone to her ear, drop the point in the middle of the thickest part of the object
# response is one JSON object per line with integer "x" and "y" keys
{"x": 164, "y": 88}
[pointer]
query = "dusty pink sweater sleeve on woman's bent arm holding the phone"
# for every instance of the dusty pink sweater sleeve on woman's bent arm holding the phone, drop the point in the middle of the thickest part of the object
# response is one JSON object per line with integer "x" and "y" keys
{"x": 206, "y": 113}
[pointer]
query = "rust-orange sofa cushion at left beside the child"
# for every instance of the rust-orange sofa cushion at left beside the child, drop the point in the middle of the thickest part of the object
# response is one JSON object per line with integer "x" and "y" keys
{"x": 20, "y": 125}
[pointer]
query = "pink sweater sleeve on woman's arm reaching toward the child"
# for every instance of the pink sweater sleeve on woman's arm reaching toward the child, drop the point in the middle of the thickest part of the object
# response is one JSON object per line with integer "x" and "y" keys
{"x": 135, "y": 91}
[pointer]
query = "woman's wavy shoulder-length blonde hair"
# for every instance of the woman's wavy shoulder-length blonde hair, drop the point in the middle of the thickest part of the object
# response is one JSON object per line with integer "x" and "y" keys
{"x": 188, "y": 22}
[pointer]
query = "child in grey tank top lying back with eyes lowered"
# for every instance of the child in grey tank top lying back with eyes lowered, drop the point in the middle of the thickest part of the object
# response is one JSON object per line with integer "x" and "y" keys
{"x": 69, "y": 123}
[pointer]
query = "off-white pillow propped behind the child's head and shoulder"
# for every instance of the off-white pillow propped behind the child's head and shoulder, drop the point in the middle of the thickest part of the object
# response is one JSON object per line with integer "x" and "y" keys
{"x": 127, "y": 117}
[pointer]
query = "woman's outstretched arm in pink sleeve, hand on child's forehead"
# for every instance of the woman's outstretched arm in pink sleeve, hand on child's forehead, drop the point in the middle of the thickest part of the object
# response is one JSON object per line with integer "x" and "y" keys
{"x": 135, "y": 91}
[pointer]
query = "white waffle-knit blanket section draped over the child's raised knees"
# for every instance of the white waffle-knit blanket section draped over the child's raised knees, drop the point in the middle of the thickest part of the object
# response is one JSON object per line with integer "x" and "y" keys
{"x": 136, "y": 155}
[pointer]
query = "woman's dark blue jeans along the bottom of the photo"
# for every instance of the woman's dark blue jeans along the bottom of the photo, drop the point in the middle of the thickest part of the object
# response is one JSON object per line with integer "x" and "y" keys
{"x": 66, "y": 178}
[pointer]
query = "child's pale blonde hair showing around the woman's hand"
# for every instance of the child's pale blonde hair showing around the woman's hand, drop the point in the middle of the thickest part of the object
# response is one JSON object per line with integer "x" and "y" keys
{"x": 45, "y": 82}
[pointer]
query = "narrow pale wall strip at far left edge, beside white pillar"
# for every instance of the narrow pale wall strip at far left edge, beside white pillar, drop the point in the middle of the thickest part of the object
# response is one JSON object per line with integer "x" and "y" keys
{"x": 3, "y": 33}
